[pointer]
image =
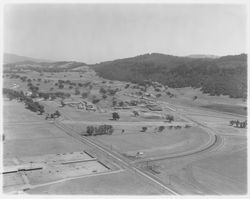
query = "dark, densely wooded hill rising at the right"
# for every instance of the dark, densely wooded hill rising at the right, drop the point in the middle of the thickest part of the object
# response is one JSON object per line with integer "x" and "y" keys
{"x": 225, "y": 75}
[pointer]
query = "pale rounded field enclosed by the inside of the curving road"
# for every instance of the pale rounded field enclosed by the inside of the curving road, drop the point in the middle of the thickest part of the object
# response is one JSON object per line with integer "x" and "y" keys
{"x": 156, "y": 144}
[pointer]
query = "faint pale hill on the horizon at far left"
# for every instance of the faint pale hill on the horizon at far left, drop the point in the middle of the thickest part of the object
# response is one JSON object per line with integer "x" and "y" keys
{"x": 13, "y": 58}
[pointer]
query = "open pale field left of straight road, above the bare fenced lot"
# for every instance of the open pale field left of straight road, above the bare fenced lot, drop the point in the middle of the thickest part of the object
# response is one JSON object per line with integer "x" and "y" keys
{"x": 28, "y": 134}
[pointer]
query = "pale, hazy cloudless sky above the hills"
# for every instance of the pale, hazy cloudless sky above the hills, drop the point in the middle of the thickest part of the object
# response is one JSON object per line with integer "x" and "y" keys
{"x": 93, "y": 33}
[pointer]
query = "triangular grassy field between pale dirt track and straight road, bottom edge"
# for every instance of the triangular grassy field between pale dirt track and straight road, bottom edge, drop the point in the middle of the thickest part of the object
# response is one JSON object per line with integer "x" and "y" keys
{"x": 123, "y": 183}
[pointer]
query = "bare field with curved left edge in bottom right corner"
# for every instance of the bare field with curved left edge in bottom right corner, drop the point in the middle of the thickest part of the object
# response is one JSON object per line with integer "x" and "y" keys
{"x": 224, "y": 173}
